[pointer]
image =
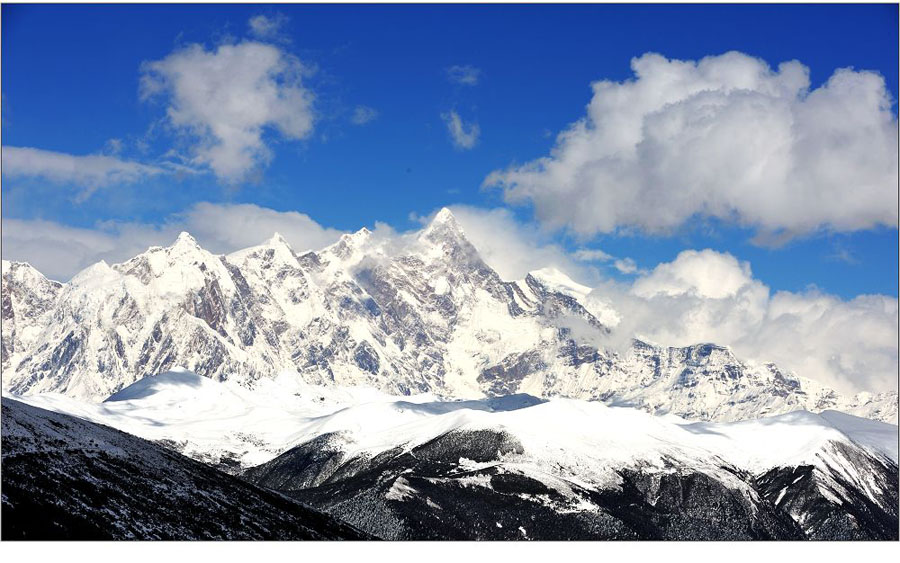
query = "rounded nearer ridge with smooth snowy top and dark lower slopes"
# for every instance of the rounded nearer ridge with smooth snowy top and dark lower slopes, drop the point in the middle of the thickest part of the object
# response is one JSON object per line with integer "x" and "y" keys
{"x": 519, "y": 466}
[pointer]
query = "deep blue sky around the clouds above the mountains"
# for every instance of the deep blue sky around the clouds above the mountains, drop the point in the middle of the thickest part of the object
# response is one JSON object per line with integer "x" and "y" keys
{"x": 71, "y": 84}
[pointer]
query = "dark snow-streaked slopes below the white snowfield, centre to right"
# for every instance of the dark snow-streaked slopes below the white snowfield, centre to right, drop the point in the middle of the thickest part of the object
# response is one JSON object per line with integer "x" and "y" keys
{"x": 458, "y": 486}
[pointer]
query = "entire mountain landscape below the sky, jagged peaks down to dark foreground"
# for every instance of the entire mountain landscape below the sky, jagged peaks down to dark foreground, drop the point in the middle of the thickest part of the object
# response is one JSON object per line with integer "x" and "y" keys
{"x": 396, "y": 387}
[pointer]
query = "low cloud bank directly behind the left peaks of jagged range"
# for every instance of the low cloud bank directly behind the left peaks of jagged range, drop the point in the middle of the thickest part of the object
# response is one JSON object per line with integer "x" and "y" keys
{"x": 60, "y": 251}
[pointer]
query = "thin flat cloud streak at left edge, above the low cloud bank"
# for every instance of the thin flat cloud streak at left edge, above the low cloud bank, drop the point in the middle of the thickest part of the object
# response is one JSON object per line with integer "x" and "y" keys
{"x": 87, "y": 172}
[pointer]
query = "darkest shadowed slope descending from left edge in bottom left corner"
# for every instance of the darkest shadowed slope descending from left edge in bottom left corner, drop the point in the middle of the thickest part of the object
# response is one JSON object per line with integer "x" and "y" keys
{"x": 64, "y": 478}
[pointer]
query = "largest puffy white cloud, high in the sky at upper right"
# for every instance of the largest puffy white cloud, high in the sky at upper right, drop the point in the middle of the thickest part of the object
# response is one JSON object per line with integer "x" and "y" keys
{"x": 725, "y": 137}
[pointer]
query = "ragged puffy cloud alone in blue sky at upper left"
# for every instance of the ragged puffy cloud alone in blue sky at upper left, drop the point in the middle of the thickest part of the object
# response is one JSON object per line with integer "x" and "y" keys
{"x": 225, "y": 99}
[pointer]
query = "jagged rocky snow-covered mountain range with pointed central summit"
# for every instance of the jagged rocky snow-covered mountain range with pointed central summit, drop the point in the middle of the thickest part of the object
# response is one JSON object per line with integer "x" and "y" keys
{"x": 411, "y": 314}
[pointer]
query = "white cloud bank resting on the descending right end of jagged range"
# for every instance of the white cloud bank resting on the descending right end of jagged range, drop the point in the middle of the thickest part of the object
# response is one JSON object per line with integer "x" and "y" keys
{"x": 707, "y": 296}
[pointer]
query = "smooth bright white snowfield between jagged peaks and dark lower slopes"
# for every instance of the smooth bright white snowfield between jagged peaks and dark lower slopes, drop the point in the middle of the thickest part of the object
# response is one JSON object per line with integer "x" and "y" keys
{"x": 212, "y": 421}
